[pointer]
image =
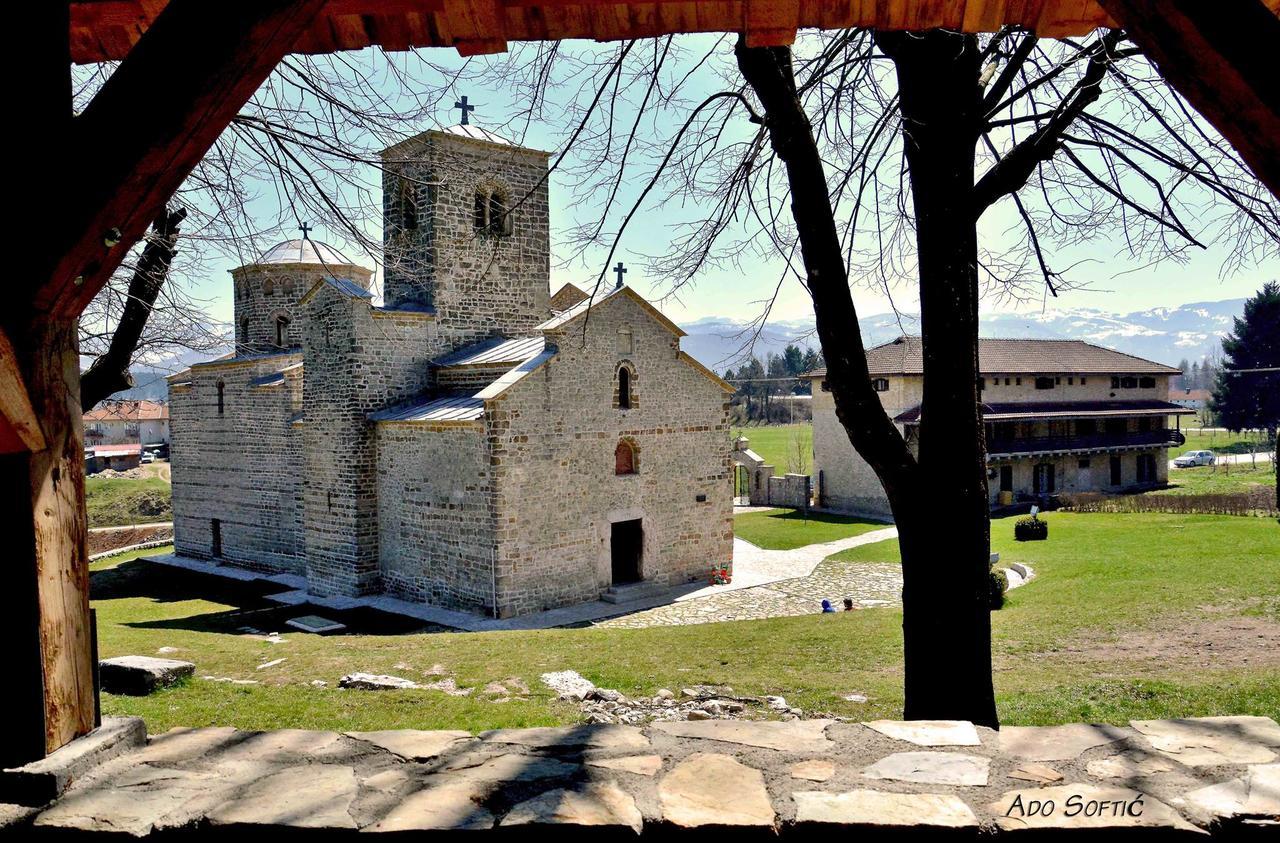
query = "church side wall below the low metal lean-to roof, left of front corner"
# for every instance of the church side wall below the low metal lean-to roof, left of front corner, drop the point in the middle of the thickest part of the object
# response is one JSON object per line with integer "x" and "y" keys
{"x": 436, "y": 515}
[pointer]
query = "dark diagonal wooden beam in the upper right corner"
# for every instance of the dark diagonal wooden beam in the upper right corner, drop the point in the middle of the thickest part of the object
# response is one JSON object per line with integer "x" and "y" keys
{"x": 1222, "y": 58}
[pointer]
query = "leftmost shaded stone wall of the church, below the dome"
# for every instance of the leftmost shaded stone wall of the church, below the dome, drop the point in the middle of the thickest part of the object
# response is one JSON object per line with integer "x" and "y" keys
{"x": 241, "y": 468}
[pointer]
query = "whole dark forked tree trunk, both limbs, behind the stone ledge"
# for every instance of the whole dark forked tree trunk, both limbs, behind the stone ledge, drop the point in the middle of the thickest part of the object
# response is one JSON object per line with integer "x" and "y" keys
{"x": 941, "y": 506}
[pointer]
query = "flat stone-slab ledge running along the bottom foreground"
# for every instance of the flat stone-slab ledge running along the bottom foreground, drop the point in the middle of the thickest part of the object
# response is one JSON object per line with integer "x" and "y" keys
{"x": 1203, "y": 777}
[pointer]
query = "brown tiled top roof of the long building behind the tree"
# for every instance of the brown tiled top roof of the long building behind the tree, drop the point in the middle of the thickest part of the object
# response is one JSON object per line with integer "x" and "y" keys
{"x": 904, "y": 356}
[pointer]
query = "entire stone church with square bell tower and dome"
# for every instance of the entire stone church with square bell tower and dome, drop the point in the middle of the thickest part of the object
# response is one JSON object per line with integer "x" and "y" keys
{"x": 470, "y": 442}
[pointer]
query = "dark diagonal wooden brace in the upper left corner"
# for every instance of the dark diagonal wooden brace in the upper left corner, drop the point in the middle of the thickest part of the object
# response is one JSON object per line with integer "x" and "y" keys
{"x": 149, "y": 127}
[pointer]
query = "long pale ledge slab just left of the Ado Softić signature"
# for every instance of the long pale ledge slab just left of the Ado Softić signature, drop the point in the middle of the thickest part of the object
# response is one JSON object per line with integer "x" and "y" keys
{"x": 884, "y": 810}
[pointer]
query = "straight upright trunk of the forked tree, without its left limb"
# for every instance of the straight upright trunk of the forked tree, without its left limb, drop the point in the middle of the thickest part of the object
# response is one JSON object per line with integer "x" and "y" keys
{"x": 947, "y": 622}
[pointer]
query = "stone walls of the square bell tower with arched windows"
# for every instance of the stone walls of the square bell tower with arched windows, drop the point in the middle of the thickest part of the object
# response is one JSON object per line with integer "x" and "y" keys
{"x": 479, "y": 283}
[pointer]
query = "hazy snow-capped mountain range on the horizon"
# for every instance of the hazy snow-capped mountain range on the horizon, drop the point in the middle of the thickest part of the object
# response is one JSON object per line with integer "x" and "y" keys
{"x": 1163, "y": 335}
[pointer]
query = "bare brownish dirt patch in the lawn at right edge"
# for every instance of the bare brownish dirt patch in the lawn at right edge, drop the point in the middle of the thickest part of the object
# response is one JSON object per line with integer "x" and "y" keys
{"x": 1208, "y": 643}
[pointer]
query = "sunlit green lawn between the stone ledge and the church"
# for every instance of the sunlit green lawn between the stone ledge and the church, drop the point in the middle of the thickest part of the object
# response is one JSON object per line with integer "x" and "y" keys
{"x": 1131, "y": 617}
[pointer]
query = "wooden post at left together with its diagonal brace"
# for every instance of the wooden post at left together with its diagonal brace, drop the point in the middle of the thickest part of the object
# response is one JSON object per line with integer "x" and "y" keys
{"x": 135, "y": 144}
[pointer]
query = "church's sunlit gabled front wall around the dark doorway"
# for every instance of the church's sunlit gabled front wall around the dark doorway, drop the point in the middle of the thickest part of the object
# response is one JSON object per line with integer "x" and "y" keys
{"x": 554, "y": 438}
